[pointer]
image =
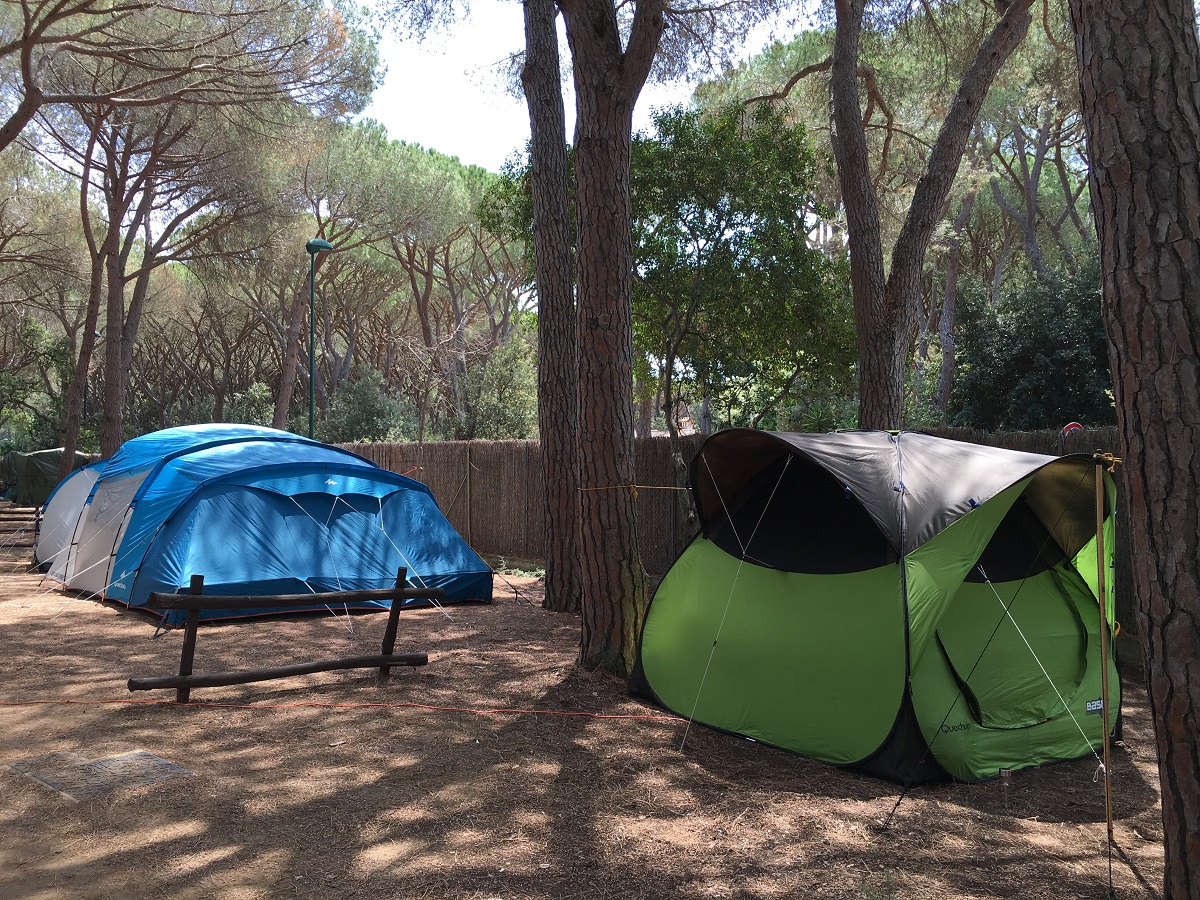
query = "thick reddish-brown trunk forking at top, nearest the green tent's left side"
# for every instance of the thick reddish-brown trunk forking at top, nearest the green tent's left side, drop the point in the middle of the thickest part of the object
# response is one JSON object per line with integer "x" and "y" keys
{"x": 608, "y": 81}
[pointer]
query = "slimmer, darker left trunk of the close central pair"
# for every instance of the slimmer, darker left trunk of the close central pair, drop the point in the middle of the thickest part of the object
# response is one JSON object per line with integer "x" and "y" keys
{"x": 559, "y": 373}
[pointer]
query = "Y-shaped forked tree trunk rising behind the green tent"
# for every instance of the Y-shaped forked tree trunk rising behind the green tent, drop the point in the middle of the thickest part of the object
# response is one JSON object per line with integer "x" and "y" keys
{"x": 886, "y": 311}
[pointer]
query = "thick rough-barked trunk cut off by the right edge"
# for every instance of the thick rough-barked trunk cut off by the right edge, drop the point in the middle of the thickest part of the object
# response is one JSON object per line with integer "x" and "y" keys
{"x": 1139, "y": 67}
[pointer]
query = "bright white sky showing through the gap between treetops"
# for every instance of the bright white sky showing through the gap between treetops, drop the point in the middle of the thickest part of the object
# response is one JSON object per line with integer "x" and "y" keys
{"x": 449, "y": 94}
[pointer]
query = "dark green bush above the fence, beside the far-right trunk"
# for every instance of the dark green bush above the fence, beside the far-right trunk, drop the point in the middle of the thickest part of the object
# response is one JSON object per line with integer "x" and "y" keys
{"x": 1039, "y": 359}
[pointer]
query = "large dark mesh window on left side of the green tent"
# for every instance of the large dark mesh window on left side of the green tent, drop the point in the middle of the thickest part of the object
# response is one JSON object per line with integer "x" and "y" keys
{"x": 806, "y": 523}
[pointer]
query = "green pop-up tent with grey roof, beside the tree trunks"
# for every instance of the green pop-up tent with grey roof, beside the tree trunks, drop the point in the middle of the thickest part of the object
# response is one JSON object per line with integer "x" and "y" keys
{"x": 917, "y": 608}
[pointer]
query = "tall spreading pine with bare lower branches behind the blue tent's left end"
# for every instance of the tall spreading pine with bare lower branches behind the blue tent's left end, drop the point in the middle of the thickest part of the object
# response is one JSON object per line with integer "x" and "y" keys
{"x": 166, "y": 181}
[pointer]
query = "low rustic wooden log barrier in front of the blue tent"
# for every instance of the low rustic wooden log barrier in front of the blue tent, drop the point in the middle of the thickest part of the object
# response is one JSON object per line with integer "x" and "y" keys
{"x": 195, "y": 601}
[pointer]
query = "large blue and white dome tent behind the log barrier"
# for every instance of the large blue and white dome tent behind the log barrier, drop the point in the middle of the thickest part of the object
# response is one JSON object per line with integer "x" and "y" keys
{"x": 255, "y": 512}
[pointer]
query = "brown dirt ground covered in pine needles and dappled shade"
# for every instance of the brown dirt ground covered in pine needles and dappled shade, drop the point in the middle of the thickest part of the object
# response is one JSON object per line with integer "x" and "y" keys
{"x": 497, "y": 771}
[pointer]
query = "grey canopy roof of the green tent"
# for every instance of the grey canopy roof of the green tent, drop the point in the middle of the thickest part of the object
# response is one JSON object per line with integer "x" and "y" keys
{"x": 911, "y": 484}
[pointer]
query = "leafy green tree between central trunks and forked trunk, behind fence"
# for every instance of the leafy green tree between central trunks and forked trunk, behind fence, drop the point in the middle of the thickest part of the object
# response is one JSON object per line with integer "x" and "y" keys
{"x": 731, "y": 301}
